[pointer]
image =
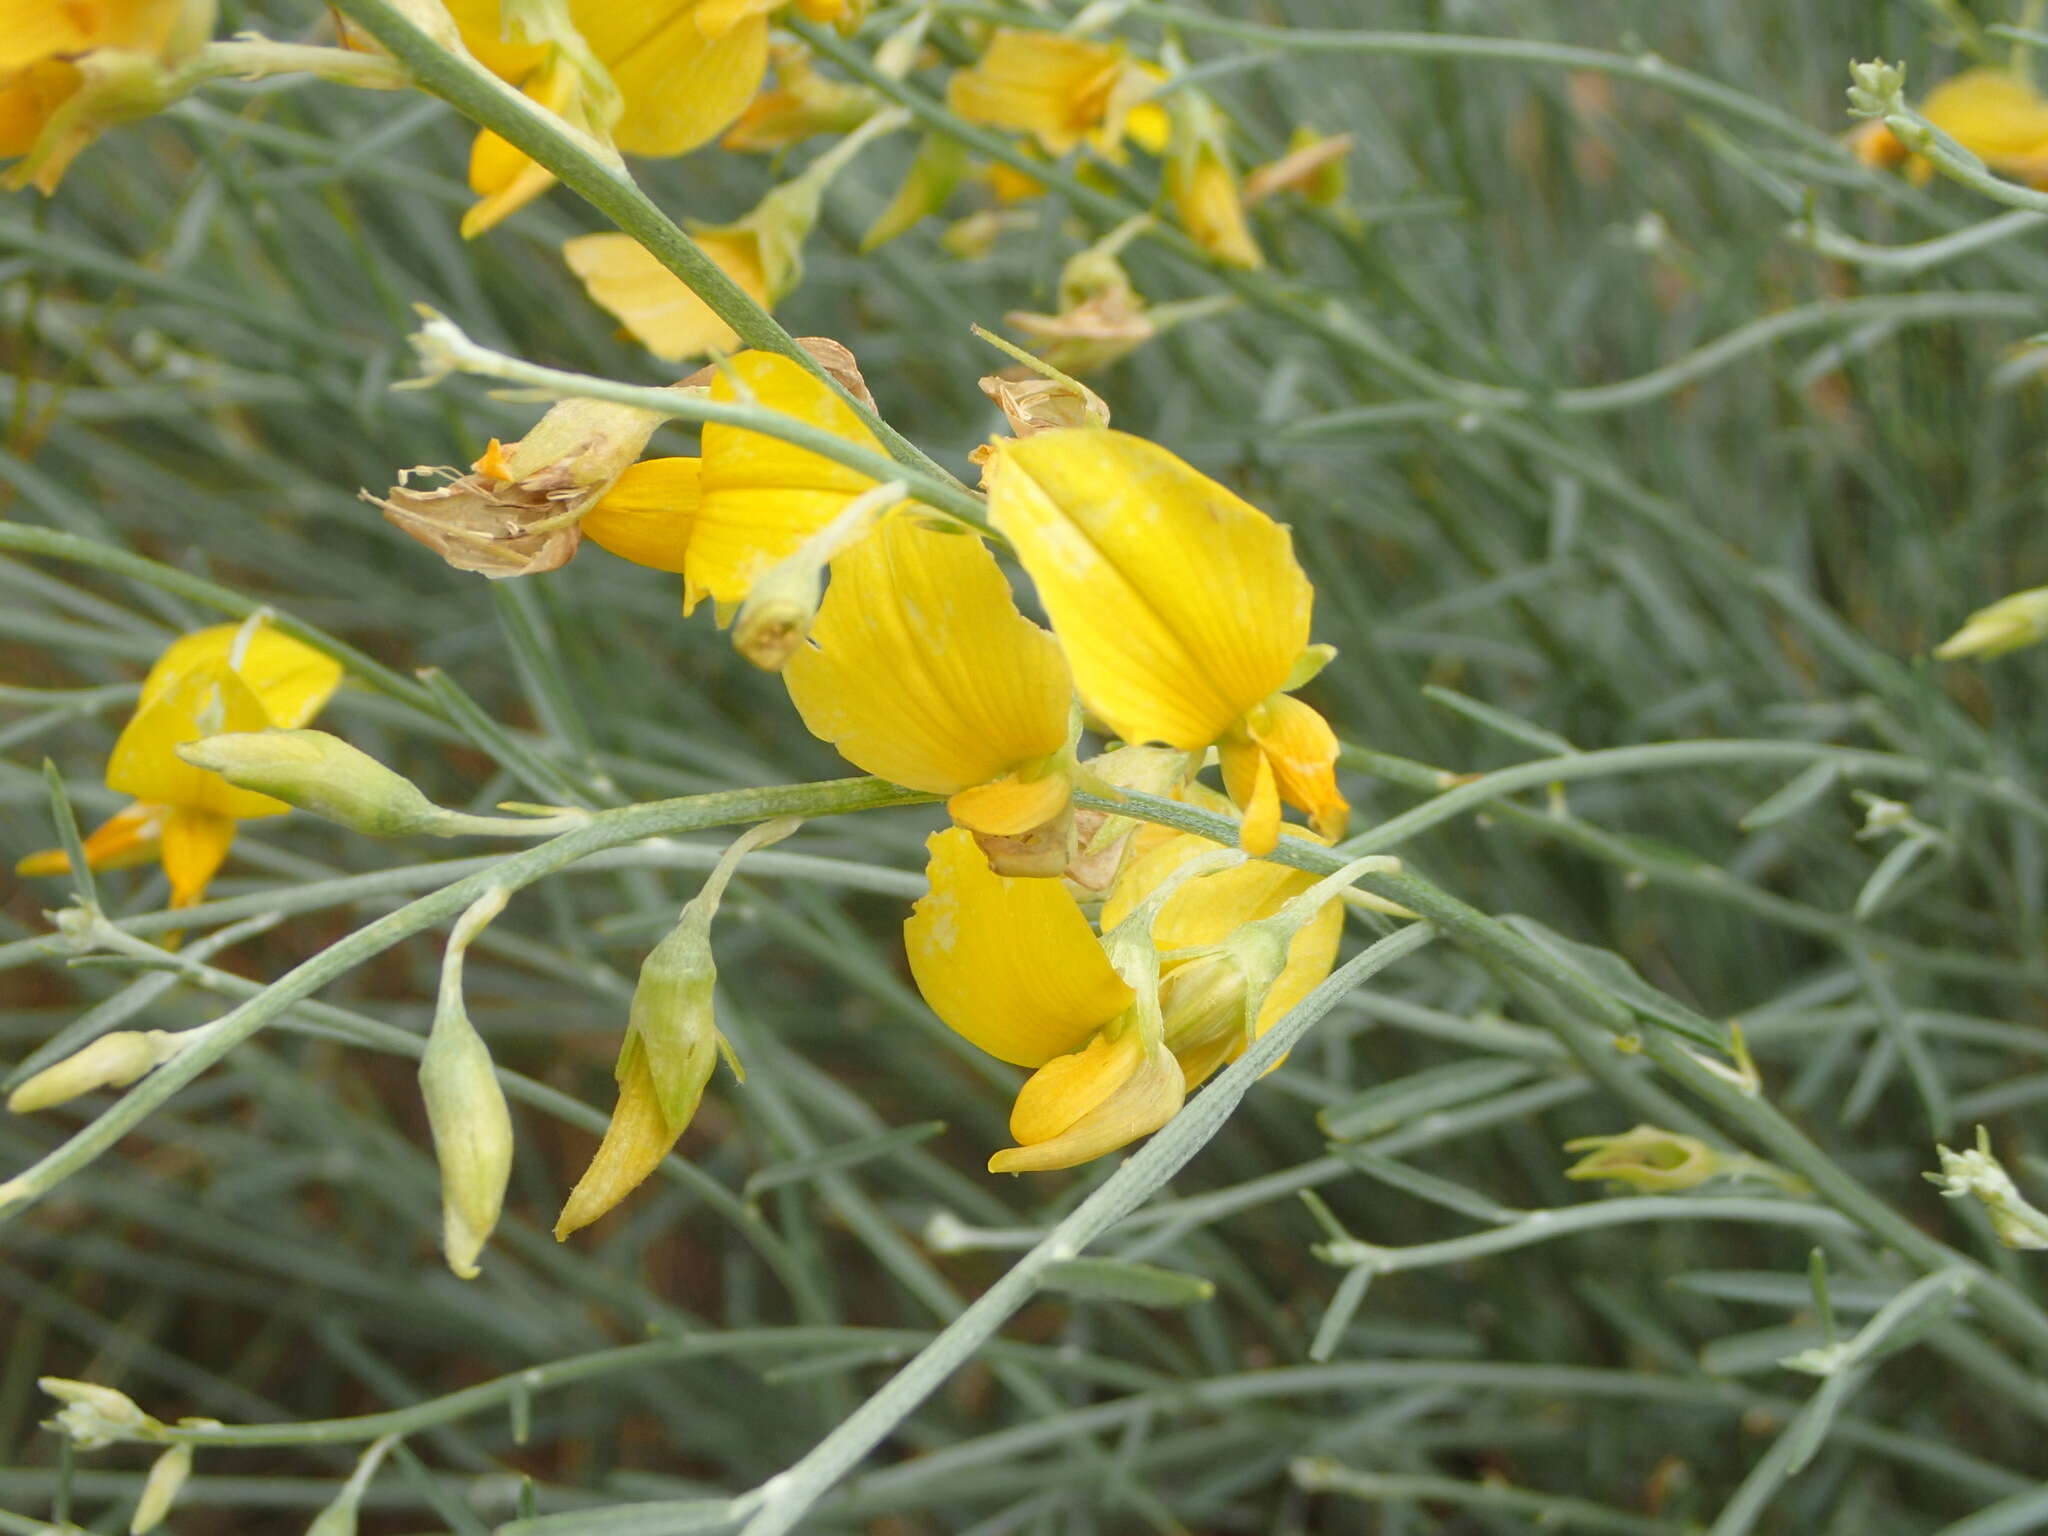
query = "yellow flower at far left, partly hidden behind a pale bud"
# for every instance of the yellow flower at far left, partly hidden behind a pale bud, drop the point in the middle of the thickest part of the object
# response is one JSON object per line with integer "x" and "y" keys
{"x": 222, "y": 679}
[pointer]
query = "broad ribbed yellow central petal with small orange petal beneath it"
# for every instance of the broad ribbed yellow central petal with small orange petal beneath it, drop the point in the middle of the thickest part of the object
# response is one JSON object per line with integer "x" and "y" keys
{"x": 923, "y": 671}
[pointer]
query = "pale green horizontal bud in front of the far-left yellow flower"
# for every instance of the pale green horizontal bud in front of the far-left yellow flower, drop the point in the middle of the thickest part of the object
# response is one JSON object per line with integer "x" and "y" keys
{"x": 323, "y": 775}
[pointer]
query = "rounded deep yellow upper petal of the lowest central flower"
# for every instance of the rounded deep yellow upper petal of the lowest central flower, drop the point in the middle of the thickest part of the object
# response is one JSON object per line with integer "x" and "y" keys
{"x": 1011, "y": 966}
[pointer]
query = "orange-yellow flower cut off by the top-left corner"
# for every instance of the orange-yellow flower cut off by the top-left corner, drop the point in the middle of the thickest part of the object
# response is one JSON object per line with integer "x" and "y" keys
{"x": 71, "y": 71}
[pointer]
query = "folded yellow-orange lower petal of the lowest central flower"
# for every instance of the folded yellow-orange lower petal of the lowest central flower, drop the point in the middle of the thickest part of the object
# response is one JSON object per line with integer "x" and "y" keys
{"x": 1115, "y": 1093}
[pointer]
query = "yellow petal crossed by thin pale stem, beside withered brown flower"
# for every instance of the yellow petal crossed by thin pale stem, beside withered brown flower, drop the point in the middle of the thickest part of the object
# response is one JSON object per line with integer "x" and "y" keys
{"x": 763, "y": 497}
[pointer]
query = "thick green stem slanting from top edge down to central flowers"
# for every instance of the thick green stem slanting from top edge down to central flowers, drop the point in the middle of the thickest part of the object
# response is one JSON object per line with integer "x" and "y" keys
{"x": 470, "y": 89}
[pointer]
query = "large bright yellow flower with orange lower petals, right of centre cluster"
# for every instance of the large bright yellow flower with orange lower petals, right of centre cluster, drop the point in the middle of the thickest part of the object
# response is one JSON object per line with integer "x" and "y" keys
{"x": 1183, "y": 611}
